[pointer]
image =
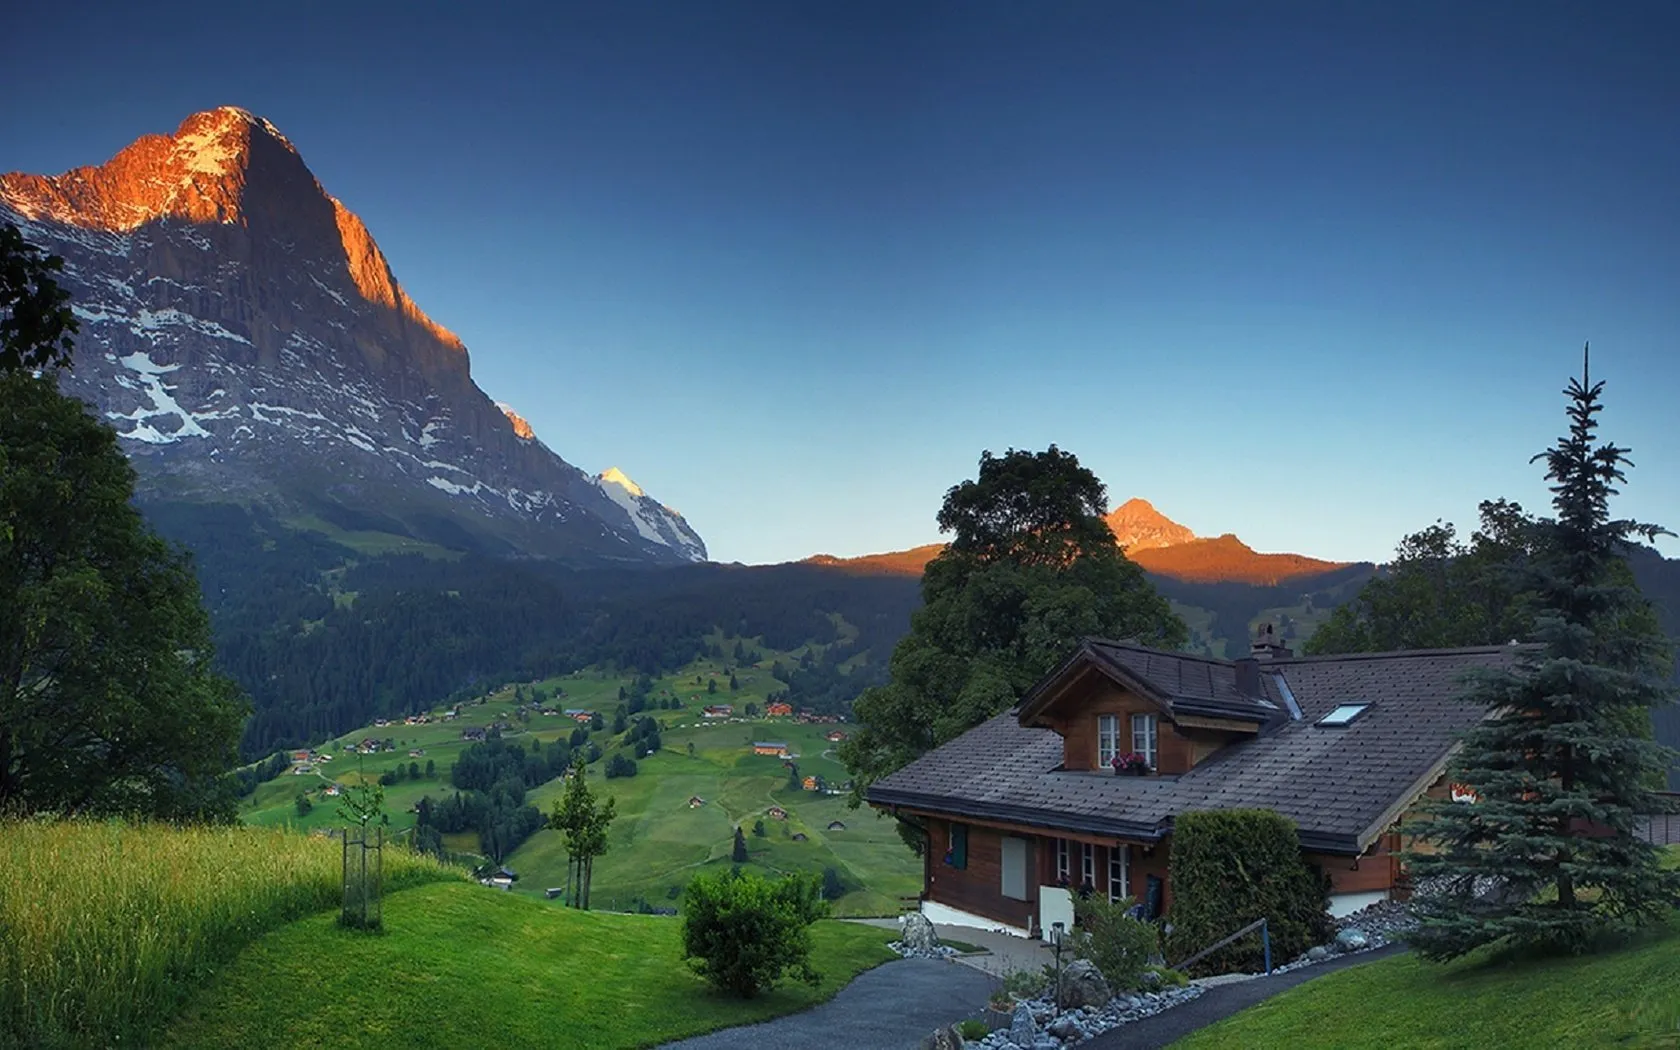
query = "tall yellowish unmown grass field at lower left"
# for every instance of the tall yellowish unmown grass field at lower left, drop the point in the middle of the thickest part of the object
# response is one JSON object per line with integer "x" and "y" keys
{"x": 107, "y": 927}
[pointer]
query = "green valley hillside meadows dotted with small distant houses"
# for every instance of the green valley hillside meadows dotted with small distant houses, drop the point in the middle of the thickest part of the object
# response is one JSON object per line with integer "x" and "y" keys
{"x": 659, "y": 841}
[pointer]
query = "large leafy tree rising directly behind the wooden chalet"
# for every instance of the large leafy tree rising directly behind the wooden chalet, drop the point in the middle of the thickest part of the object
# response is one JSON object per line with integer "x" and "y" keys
{"x": 1032, "y": 570}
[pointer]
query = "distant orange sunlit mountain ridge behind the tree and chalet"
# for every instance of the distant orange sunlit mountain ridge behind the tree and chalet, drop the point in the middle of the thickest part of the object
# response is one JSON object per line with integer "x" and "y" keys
{"x": 1150, "y": 538}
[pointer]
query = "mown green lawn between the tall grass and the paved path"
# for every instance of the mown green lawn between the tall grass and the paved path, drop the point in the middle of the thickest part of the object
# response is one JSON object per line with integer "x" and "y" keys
{"x": 466, "y": 967}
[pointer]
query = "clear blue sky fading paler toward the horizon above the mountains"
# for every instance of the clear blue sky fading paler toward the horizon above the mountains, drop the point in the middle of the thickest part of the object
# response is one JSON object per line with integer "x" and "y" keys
{"x": 1315, "y": 275}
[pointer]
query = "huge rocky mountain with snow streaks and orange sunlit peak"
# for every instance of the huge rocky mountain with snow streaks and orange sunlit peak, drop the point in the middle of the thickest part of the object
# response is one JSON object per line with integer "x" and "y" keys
{"x": 249, "y": 342}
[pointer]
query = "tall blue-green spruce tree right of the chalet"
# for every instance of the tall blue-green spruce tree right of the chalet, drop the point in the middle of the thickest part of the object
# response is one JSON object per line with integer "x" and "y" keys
{"x": 1565, "y": 762}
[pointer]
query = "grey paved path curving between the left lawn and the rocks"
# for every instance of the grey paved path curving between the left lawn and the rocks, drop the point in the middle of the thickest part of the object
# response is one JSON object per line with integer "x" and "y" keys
{"x": 886, "y": 1009}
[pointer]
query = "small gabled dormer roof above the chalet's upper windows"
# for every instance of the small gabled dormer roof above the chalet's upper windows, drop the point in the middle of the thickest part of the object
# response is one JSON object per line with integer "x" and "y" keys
{"x": 1175, "y": 681}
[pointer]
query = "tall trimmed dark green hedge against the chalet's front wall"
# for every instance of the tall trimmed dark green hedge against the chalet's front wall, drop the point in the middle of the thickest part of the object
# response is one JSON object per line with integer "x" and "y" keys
{"x": 1232, "y": 868}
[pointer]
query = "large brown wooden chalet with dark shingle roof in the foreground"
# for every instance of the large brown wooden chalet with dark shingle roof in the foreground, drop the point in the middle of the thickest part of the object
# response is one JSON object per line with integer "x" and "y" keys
{"x": 1079, "y": 784}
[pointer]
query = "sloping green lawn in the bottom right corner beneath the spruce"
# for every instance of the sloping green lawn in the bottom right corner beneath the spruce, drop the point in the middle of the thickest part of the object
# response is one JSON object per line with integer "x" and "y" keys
{"x": 1619, "y": 999}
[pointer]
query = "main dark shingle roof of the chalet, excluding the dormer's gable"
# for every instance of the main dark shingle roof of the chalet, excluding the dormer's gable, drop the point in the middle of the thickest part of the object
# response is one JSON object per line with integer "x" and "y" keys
{"x": 1340, "y": 785}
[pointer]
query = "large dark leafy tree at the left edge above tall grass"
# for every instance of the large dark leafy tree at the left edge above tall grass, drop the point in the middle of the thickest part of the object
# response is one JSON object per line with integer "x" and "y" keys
{"x": 108, "y": 698}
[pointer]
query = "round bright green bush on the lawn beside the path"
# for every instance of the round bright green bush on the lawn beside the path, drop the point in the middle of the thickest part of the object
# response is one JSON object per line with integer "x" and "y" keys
{"x": 743, "y": 932}
